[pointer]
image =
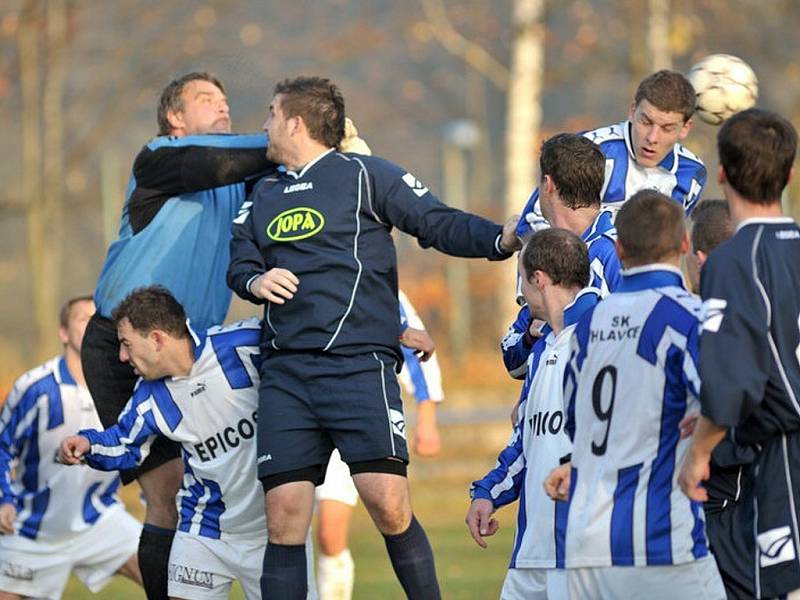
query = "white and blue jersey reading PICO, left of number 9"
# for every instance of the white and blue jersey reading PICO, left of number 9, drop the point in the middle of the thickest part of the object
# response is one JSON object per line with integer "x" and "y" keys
{"x": 536, "y": 447}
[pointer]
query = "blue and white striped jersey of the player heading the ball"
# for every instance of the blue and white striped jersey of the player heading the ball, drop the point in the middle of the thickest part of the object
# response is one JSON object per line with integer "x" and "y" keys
{"x": 681, "y": 175}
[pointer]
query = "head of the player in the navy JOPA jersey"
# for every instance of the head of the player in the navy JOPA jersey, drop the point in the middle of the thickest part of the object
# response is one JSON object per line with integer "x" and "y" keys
{"x": 304, "y": 108}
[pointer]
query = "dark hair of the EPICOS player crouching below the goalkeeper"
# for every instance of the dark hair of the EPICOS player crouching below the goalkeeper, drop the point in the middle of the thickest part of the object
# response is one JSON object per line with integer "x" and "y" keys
{"x": 152, "y": 307}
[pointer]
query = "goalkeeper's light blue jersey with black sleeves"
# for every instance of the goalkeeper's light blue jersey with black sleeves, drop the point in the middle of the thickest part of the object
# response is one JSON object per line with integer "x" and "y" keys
{"x": 175, "y": 226}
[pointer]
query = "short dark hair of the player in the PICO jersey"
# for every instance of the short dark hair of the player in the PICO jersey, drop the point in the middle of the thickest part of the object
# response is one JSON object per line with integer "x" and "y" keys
{"x": 559, "y": 253}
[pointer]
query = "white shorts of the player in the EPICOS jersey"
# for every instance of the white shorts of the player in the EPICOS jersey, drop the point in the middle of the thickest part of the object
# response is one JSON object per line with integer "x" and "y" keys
{"x": 205, "y": 568}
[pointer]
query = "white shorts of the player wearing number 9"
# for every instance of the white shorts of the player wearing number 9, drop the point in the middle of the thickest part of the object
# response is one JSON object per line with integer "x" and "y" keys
{"x": 696, "y": 580}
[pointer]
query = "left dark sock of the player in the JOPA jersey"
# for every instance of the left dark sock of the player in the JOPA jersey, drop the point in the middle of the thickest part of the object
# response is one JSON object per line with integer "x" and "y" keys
{"x": 285, "y": 576}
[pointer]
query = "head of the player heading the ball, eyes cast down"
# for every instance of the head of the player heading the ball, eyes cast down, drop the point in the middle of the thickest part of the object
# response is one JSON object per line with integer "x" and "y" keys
{"x": 660, "y": 115}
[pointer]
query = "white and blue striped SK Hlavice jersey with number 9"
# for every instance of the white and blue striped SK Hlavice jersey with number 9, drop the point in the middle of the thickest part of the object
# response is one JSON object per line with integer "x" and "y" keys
{"x": 631, "y": 378}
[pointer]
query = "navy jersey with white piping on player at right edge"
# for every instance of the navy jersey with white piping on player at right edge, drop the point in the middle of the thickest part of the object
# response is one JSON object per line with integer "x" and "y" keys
{"x": 750, "y": 347}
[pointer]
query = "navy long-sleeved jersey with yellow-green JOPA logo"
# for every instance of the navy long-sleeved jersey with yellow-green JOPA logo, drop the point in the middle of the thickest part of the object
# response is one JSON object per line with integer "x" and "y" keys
{"x": 331, "y": 226}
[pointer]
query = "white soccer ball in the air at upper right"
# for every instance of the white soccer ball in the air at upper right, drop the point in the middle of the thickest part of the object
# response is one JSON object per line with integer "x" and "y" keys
{"x": 724, "y": 85}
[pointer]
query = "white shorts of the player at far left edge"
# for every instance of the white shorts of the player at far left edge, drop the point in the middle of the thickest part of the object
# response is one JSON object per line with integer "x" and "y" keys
{"x": 38, "y": 569}
